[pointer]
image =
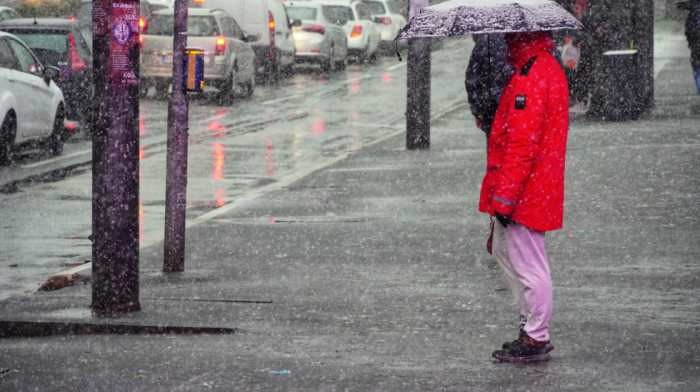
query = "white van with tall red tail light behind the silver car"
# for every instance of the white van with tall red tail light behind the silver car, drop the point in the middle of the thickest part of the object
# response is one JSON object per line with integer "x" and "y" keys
{"x": 268, "y": 21}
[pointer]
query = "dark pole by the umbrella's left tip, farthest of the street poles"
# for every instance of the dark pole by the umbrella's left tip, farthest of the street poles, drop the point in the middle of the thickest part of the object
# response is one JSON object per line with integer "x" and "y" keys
{"x": 418, "y": 88}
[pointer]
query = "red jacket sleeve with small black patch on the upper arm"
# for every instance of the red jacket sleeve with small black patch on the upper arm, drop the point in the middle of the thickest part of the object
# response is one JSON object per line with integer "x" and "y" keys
{"x": 525, "y": 120}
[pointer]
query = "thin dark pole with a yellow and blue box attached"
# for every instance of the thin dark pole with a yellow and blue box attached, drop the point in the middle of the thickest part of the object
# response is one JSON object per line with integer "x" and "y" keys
{"x": 176, "y": 167}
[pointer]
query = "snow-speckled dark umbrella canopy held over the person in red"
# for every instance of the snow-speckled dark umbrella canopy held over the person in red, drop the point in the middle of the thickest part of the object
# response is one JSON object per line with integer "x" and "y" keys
{"x": 460, "y": 17}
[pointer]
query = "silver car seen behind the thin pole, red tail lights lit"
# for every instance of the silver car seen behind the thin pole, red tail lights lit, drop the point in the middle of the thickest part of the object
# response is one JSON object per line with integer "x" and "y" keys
{"x": 228, "y": 58}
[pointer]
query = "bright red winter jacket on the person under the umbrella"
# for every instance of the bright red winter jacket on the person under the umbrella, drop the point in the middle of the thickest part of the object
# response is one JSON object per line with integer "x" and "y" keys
{"x": 527, "y": 146}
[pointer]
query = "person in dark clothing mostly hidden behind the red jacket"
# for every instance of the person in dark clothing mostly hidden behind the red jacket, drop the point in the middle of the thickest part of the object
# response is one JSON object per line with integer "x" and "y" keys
{"x": 486, "y": 77}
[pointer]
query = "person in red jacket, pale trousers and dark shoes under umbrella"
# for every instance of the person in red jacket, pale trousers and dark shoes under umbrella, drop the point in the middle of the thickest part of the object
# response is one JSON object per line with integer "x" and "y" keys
{"x": 524, "y": 185}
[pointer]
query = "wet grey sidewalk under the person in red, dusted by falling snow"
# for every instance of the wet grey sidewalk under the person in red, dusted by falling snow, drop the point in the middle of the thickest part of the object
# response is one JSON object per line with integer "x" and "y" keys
{"x": 372, "y": 275}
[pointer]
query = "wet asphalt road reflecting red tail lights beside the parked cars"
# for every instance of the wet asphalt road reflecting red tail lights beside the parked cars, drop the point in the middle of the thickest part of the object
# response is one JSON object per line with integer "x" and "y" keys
{"x": 286, "y": 128}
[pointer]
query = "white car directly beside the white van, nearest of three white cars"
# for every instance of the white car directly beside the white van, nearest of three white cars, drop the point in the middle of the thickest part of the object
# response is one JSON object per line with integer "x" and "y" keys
{"x": 319, "y": 38}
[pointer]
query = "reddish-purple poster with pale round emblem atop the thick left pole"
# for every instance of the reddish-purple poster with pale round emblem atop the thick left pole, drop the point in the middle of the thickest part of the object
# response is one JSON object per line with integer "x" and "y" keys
{"x": 123, "y": 35}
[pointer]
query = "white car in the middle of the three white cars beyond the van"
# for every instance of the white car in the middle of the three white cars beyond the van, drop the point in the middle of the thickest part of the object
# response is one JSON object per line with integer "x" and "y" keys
{"x": 363, "y": 34}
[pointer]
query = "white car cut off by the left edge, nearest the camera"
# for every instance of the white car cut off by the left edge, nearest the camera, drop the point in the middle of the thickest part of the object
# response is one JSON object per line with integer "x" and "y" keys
{"x": 31, "y": 104}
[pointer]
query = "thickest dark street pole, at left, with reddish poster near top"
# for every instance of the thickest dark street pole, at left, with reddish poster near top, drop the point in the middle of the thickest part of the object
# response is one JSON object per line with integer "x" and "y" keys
{"x": 115, "y": 192}
